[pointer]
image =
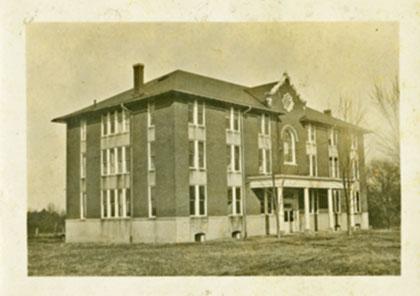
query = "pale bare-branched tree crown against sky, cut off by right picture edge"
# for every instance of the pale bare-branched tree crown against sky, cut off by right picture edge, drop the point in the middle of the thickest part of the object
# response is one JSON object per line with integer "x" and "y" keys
{"x": 387, "y": 104}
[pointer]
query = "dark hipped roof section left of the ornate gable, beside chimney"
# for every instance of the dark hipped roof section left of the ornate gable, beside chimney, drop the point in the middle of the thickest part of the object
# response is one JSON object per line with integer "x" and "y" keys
{"x": 182, "y": 82}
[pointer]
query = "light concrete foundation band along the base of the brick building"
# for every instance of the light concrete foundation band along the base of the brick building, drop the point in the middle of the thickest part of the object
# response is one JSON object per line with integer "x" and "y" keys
{"x": 186, "y": 229}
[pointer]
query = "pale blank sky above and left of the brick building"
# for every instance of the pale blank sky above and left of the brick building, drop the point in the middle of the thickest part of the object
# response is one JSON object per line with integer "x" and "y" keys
{"x": 70, "y": 65}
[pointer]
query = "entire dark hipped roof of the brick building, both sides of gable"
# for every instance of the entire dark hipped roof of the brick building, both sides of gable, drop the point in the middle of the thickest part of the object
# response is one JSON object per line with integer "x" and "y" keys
{"x": 202, "y": 86}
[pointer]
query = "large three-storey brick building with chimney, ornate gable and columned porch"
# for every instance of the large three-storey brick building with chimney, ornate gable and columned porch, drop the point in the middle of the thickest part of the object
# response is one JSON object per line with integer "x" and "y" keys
{"x": 186, "y": 157}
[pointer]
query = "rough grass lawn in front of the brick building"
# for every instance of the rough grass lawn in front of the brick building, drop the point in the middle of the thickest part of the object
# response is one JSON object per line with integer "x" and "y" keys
{"x": 365, "y": 253}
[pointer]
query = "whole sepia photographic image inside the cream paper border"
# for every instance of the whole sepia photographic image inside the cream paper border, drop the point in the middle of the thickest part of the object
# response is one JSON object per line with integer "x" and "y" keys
{"x": 213, "y": 149}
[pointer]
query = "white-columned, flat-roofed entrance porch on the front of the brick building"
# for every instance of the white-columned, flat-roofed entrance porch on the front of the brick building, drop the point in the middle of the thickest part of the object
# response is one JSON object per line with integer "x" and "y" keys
{"x": 305, "y": 203}
